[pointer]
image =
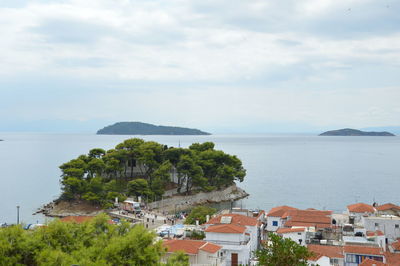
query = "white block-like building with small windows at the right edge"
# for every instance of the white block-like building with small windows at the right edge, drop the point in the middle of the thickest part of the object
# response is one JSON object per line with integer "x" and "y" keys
{"x": 389, "y": 225}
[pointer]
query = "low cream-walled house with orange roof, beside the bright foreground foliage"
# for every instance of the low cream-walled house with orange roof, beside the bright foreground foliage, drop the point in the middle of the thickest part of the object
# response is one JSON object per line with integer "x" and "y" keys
{"x": 199, "y": 252}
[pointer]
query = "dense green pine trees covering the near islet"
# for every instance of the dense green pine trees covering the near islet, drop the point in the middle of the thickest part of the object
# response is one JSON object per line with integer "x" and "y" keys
{"x": 147, "y": 169}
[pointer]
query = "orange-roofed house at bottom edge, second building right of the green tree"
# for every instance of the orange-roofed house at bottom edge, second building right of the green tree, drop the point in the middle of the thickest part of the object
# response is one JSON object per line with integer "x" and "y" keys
{"x": 354, "y": 255}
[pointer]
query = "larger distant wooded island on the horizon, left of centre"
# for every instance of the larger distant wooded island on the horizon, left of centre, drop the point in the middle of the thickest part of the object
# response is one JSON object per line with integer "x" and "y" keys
{"x": 139, "y": 128}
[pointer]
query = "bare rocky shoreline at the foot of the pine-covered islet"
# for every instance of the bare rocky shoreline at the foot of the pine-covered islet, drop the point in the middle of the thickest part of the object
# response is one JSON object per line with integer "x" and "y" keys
{"x": 62, "y": 208}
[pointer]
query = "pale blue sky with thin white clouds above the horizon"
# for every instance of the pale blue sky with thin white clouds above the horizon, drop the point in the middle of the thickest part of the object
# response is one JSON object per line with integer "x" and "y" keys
{"x": 219, "y": 65}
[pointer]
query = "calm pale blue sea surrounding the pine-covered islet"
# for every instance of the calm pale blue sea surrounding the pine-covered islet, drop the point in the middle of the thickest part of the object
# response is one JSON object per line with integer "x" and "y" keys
{"x": 302, "y": 171}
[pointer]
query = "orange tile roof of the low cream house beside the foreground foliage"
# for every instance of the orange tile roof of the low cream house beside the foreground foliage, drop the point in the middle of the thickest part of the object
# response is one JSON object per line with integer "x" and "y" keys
{"x": 190, "y": 246}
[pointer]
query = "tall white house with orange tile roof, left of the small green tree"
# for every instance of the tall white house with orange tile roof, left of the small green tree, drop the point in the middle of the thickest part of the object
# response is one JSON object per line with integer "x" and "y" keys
{"x": 239, "y": 236}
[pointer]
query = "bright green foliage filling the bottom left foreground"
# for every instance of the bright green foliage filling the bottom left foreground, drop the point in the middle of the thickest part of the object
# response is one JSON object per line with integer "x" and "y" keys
{"x": 92, "y": 243}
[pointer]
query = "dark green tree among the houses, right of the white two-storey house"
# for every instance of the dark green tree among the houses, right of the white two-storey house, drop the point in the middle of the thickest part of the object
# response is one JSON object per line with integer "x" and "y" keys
{"x": 283, "y": 252}
